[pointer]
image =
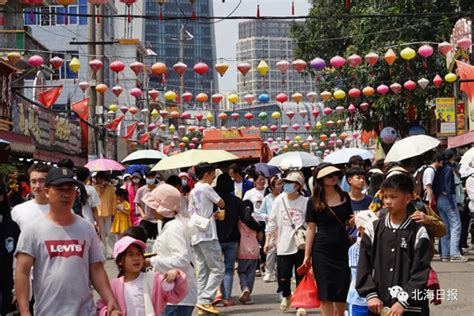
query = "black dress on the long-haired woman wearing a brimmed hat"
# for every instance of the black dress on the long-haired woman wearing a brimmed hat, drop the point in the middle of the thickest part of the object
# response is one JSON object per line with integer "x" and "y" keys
{"x": 330, "y": 246}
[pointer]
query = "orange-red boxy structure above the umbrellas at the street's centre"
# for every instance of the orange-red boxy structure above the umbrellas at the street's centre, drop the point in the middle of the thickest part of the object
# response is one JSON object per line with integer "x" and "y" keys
{"x": 244, "y": 143}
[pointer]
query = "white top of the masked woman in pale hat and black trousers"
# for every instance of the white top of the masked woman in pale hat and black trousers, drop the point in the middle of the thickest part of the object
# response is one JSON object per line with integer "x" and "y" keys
{"x": 279, "y": 221}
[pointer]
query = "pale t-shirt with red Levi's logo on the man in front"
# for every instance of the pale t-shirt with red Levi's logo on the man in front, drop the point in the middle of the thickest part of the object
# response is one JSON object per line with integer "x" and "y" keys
{"x": 62, "y": 257}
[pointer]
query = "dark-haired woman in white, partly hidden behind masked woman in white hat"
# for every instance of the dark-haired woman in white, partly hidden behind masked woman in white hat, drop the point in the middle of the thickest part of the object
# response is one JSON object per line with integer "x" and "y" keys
{"x": 276, "y": 187}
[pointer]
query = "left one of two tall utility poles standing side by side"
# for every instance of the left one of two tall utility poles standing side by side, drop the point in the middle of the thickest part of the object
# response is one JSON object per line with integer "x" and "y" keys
{"x": 92, "y": 94}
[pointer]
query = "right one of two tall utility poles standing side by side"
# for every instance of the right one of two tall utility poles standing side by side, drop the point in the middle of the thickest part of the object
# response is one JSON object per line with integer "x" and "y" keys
{"x": 100, "y": 78}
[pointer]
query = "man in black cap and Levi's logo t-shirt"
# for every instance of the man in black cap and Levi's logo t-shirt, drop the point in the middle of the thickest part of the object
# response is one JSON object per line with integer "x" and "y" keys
{"x": 65, "y": 252}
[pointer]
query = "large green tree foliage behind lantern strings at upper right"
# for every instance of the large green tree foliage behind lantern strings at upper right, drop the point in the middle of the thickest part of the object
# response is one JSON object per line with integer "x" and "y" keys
{"x": 330, "y": 35}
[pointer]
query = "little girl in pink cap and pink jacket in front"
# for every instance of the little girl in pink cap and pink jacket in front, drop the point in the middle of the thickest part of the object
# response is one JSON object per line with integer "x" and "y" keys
{"x": 142, "y": 293}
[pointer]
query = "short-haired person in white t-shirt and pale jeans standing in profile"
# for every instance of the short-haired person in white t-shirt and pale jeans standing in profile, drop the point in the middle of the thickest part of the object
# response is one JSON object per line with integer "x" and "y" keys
{"x": 205, "y": 242}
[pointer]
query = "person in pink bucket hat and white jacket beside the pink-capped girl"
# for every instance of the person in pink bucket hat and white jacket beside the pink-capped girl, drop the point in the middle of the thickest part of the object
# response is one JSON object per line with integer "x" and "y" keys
{"x": 173, "y": 244}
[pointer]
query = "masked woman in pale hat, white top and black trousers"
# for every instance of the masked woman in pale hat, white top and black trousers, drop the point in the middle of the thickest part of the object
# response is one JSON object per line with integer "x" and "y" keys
{"x": 289, "y": 207}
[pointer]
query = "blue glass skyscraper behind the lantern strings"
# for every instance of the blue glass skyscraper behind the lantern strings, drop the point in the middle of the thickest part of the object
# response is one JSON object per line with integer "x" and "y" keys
{"x": 199, "y": 44}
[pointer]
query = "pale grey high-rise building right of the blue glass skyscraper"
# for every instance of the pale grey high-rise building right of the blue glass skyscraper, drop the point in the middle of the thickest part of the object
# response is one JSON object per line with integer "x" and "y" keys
{"x": 269, "y": 41}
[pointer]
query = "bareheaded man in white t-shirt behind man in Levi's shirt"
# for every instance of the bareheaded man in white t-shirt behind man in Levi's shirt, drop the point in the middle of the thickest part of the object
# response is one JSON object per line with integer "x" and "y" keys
{"x": 31, "y": 211}
